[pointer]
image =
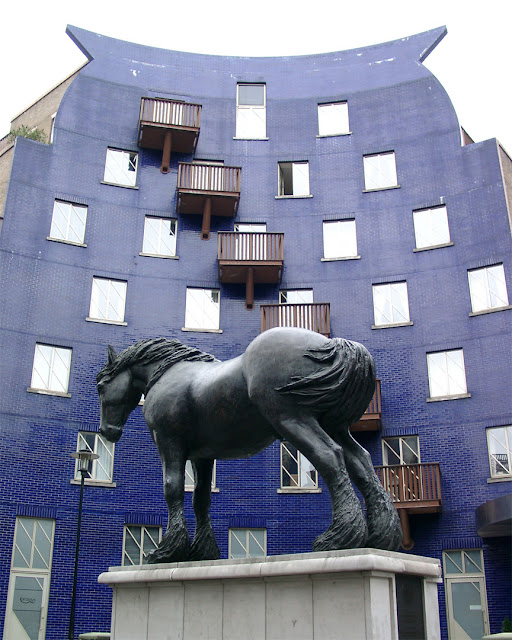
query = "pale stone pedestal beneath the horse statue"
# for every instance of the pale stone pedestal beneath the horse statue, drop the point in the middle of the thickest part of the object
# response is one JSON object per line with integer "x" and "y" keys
{"x": 337, "y": 594}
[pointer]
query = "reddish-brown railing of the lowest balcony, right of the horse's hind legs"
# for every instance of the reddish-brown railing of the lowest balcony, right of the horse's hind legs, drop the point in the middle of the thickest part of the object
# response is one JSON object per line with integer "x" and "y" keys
{"x": 412, "y": 483}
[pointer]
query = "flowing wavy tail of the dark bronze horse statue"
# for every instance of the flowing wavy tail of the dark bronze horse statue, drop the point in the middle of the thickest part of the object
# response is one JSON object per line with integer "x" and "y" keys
{"x": 343, "y": 385}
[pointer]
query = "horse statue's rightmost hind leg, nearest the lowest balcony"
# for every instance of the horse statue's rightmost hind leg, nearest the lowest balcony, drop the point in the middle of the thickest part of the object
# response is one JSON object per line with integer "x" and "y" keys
{"x": 384, "y": 530}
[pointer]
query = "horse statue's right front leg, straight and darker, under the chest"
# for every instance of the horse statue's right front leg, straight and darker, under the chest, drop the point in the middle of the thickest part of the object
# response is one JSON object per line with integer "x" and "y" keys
{"x": 204, "y": 546}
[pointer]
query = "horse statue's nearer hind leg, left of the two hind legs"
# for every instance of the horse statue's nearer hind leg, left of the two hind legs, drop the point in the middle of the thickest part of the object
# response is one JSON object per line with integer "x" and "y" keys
{"x": 348, "y": 528}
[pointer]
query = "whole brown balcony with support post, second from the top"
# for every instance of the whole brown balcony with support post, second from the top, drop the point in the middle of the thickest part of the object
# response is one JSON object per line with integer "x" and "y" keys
{"x": 208, "y": 190}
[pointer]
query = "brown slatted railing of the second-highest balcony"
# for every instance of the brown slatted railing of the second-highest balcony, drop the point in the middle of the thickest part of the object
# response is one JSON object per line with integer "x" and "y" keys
{"x": 208, "y": 177}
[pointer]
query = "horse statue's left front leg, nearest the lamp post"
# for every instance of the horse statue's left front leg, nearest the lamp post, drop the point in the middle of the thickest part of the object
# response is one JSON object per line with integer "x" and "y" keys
{"x": 175, "y": 544}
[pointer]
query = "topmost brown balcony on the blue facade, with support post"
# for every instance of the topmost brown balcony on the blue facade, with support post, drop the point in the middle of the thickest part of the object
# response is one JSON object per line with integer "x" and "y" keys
{"x": 169, "y": 125}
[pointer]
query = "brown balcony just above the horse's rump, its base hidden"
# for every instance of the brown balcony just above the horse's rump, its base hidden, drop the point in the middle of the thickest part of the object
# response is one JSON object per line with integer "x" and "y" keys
{"x": 312, "y": 316}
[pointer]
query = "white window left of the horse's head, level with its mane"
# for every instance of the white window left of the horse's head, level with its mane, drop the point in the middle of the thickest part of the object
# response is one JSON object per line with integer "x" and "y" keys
{"x": 50, "y": 371}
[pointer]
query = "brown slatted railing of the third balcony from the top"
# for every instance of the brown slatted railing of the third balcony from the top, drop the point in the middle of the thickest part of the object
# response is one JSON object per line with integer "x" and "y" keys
{"x": 251, "y": 247}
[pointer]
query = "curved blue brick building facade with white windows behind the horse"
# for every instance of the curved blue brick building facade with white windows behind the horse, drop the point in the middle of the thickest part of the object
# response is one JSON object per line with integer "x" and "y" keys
{"x": 390, "y": 224}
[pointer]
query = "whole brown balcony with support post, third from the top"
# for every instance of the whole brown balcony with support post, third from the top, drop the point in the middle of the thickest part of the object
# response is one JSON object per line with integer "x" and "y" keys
{"x": 250, "y": 258}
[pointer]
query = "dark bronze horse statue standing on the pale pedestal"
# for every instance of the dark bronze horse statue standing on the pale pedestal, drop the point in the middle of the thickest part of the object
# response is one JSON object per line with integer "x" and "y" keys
{"x": 290, "y": 384}
